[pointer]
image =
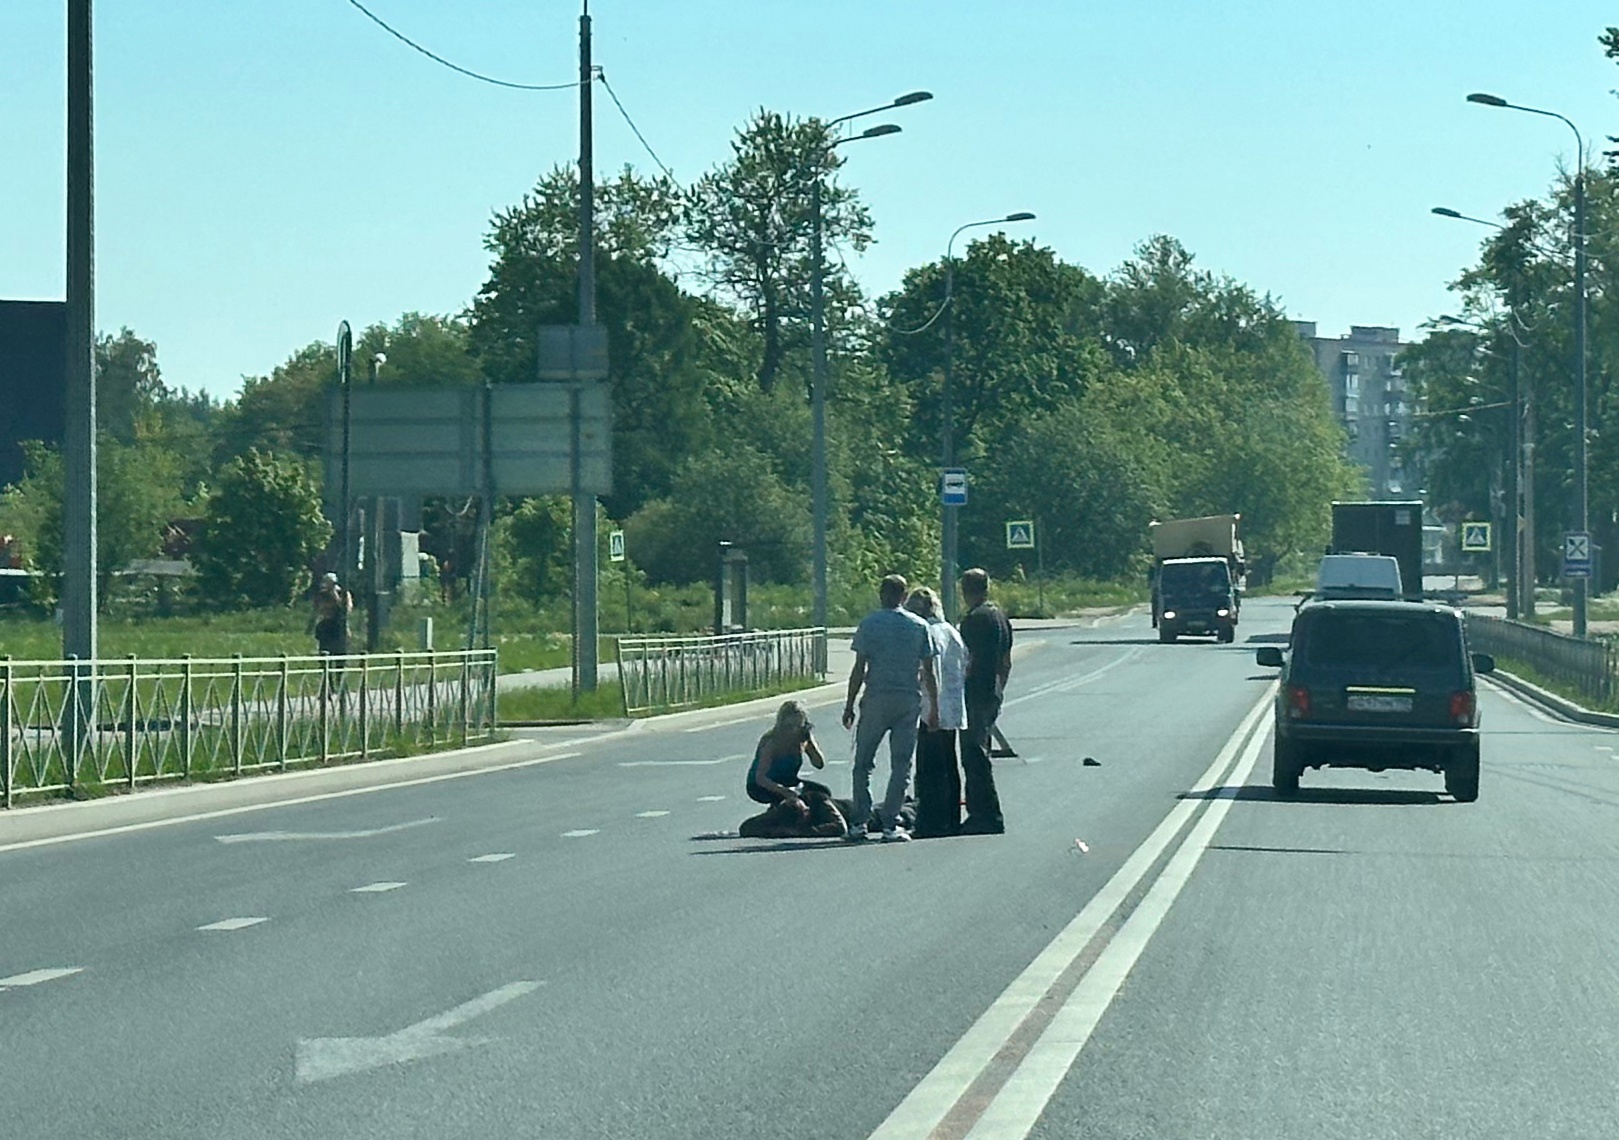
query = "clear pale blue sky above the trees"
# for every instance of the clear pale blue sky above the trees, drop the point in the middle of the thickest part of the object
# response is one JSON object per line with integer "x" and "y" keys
{"x": 270, "y": 169}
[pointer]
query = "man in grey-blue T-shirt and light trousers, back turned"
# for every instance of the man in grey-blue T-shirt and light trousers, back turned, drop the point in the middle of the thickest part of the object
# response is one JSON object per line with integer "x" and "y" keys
{"x": 891, "y": 650}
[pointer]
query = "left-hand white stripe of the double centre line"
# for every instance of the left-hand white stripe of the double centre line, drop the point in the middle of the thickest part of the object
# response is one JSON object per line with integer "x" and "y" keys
{"x": 937, "y": 1094}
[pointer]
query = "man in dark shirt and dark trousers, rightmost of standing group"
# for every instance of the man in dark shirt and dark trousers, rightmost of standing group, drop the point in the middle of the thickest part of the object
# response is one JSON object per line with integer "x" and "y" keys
{"x": 988, "y": 637}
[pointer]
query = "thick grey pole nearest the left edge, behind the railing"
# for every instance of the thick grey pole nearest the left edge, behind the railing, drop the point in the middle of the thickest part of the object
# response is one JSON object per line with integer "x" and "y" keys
{"x": 79, "y": 443}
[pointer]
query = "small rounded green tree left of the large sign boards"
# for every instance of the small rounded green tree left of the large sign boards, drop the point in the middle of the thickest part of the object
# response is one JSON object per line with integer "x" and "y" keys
{"x": 261, "y": 530}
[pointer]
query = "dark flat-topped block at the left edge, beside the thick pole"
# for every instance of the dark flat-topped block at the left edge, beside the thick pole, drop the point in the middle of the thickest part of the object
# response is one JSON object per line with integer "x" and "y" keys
{"x": 33, "y": 376}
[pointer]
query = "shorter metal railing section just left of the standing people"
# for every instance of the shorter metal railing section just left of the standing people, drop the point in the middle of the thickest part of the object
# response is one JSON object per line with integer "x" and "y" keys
{"x": 679, "y": 673}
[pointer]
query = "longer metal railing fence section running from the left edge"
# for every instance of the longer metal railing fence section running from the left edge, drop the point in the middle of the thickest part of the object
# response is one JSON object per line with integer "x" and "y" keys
{"x": 124, "y": 723}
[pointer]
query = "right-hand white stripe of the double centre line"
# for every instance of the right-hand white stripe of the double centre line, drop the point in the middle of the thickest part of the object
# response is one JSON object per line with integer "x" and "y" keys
{"x": 1021, "y": 1102}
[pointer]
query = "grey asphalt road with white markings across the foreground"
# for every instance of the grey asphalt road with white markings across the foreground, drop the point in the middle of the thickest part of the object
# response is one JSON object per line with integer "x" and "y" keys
{"x": 564, "y": 950}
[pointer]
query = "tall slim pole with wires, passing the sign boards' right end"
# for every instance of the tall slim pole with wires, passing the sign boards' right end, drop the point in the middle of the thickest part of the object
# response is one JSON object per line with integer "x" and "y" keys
{"x": 585, "y": 618}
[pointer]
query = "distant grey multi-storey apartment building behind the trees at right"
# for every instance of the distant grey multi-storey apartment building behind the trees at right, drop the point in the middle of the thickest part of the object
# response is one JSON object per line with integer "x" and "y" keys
{"x": 1370, "y": 399}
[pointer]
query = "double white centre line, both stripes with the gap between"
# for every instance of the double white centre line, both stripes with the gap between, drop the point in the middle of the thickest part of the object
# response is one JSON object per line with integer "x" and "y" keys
{"x": 940, "y": 1105}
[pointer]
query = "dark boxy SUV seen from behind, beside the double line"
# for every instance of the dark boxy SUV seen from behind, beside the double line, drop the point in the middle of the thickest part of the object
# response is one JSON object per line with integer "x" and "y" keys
{"x": 1379, "y": 684}
